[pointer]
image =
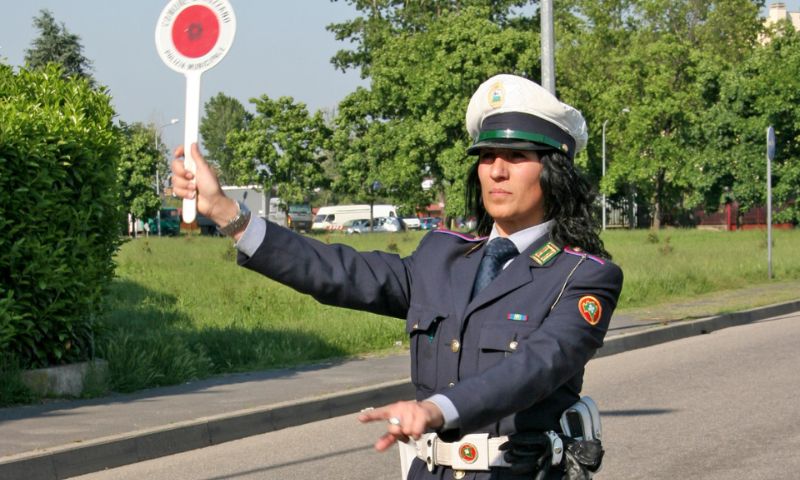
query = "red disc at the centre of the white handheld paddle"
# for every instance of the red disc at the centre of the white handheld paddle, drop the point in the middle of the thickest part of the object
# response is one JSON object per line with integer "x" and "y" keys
{"x": 195, "y": 31}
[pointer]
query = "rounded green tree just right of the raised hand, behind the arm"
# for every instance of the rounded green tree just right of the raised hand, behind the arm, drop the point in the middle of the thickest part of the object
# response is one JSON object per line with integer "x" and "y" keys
{"x": 281, "y": 149}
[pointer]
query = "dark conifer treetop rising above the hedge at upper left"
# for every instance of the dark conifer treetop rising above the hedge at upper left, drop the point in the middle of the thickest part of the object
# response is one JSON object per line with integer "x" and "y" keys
{"x": 55, "y": 44}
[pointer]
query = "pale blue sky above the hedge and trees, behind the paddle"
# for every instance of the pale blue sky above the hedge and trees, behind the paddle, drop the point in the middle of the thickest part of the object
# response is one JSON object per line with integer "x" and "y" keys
{"x": 281, "y": 48}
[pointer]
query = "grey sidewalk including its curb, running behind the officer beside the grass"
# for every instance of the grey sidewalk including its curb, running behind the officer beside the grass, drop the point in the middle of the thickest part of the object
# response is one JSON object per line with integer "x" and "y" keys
{"x": 69, "y": 438}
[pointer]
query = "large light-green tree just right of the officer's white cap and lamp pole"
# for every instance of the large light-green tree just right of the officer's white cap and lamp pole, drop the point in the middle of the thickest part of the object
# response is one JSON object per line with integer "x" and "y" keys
{"x": 662, "y": 60}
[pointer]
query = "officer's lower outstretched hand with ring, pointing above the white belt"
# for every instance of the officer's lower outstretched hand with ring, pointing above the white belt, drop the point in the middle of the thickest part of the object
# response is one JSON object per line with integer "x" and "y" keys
{"x": 404, "y": 420}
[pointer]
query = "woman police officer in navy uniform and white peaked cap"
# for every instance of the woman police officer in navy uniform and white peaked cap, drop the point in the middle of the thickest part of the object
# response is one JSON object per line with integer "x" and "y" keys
{"x": 501, "y": 325}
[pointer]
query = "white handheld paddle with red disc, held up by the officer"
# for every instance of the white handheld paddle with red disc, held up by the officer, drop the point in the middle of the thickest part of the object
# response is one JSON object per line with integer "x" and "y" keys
{"x": 191, "y": 37}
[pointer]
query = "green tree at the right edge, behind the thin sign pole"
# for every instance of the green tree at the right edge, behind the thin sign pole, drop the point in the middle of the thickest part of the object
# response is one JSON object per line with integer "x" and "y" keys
{"x": 763, "y": 90}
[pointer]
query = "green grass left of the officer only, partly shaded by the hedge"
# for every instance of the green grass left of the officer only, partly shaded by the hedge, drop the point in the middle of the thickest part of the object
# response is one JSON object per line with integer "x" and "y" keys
{"x": 181, "y": 308}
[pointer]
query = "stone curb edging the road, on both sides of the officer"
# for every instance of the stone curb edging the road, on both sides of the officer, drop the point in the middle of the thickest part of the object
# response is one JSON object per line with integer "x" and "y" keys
{"x": 118, "y": 450}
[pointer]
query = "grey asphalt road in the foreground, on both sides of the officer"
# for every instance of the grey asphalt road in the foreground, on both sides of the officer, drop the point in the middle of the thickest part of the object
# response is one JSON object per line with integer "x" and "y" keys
{"x": 717, "y": 406}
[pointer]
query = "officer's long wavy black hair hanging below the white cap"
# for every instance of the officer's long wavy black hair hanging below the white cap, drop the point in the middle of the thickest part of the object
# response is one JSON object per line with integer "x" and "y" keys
{"x": 568, "y": 200}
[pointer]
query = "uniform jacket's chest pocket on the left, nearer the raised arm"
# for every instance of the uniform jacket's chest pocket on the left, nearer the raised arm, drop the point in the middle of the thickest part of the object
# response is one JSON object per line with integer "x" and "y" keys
{"x": 422, "y": 326}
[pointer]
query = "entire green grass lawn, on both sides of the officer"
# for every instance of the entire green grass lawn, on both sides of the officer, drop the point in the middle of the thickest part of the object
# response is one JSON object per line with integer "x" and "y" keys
{"x": 182, "y": 309}
